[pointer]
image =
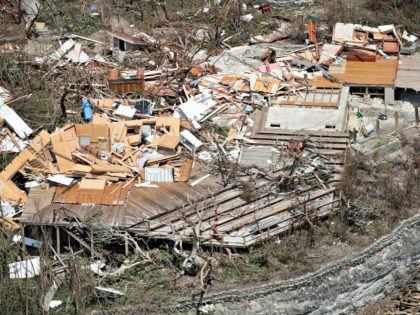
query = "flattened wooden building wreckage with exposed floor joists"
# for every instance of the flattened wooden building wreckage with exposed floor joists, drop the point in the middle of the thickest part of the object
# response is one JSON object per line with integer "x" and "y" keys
{"x": 161, "y": 171}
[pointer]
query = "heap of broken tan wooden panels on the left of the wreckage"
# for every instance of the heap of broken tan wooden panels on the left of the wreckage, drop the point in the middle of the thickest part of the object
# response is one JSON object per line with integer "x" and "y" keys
{"x": 97, "y": 162}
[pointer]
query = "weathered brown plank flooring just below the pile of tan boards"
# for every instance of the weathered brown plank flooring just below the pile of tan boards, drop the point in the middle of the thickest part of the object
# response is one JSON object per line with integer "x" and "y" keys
{"x": 140, "y": 204}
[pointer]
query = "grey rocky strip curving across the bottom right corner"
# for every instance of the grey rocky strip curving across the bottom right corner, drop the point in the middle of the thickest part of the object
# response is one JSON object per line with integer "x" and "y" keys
{"x": 340, "y": 288}
